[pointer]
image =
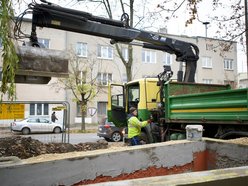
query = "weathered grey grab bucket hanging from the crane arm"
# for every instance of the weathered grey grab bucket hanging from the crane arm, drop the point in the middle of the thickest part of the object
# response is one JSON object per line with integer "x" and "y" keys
{"x": 38, "y": 65}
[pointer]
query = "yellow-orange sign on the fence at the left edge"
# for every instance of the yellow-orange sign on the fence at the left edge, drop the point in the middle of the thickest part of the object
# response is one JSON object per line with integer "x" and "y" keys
{"x": 12, "y": 111}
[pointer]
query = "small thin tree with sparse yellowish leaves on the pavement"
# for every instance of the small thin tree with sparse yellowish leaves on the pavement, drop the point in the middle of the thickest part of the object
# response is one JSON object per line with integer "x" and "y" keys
{"x": 82, "y": 82}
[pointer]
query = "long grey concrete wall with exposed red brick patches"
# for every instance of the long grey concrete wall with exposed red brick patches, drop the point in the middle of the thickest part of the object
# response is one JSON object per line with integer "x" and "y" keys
{"x": 169, "y": 158}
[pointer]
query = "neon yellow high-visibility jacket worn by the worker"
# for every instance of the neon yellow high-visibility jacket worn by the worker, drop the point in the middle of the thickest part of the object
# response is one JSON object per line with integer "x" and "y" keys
{"x": 134, "y": 126}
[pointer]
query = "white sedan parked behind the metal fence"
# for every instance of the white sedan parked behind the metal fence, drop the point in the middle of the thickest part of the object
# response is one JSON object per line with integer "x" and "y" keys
{"x": 36, "y": 125}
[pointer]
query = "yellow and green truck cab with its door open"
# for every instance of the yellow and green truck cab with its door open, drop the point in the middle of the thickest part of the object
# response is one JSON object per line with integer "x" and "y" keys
{"x": 141, "y": 93}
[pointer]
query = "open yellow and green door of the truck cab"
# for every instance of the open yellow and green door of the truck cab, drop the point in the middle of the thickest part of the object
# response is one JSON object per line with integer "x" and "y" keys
{"x": 116, "y": 105}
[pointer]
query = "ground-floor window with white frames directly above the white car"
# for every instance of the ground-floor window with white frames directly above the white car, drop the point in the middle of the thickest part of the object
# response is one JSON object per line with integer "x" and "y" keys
{"x": 38, "y": 109}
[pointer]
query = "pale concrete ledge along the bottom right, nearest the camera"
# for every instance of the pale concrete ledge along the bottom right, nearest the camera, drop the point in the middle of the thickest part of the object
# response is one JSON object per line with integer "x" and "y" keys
{"x": 223, "y": 177}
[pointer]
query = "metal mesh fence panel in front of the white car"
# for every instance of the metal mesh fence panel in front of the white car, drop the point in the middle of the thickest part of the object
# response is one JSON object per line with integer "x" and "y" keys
{"x": 15, "y": 111}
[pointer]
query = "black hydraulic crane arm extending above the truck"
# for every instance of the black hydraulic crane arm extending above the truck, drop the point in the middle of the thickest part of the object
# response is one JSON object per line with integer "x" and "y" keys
{"x": 53, "y": 16}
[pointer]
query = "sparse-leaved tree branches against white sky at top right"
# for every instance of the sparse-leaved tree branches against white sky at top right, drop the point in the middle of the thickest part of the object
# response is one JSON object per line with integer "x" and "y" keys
{"x": 228, "y": 16}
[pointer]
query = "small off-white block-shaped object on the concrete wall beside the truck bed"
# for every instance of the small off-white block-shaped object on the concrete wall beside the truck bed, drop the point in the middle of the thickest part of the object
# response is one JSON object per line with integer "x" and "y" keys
{"x": 194, "y": 132}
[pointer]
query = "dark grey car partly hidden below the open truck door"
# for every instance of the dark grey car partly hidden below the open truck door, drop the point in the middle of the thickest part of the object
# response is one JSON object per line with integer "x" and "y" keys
{"x": 109, "y": 131}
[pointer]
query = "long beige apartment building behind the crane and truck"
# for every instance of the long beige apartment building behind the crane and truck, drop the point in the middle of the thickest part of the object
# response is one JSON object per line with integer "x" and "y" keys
{"x": 213, "y": 67}
